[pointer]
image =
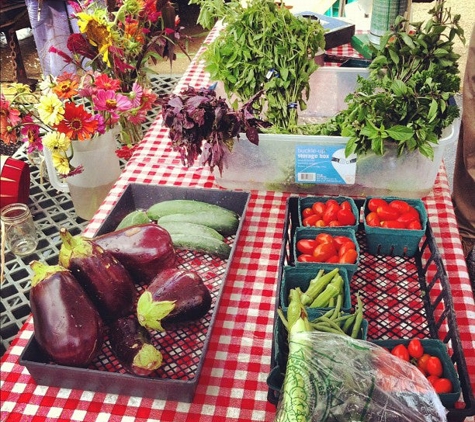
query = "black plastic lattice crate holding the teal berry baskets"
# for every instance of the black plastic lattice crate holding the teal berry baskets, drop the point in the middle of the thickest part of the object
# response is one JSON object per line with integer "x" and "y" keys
{"x": 400, "y": 299}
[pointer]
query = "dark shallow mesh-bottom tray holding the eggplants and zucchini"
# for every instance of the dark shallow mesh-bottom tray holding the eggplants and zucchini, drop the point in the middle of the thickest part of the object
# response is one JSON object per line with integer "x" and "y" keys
{"x": 184, "y": 348}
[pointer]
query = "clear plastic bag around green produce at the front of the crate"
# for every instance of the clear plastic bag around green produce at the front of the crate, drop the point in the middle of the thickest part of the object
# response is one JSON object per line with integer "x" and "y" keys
{"x": 331, "y": 377}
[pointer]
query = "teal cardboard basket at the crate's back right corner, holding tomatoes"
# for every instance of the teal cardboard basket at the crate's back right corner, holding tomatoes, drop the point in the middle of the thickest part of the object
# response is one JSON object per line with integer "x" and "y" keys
{"x": 395, "y": 242}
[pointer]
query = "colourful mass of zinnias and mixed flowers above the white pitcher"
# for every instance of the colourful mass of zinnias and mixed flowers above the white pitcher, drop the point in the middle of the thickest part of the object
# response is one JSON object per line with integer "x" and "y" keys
{"x": 109, "y": 90}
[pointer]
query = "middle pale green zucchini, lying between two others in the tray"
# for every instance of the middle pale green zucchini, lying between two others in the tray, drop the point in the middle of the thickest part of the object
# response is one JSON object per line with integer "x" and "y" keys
{"x": 224, "y": 223}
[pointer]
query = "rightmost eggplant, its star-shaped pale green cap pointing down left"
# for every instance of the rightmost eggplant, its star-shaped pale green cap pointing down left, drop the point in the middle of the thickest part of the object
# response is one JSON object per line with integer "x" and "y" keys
{"x": 174, "y": 295}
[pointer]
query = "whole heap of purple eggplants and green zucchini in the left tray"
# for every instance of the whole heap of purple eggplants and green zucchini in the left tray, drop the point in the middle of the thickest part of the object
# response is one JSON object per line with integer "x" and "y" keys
{"x": 124, "y": 286}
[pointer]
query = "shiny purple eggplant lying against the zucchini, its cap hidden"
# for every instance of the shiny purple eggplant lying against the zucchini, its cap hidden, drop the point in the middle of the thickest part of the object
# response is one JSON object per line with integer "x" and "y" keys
{"x": 144, "y": 250}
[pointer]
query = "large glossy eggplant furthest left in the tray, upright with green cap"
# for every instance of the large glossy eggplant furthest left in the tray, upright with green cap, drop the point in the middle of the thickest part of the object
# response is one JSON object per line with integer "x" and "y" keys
{"x": 67, "y": 326}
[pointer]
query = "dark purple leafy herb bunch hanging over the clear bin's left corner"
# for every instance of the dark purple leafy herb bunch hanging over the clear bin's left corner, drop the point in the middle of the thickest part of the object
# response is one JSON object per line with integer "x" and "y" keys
{"x": 203, "y": 126}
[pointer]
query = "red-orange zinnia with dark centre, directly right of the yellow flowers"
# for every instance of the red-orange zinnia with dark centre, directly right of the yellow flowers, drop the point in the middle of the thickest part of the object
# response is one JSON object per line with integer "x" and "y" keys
{"x": 77, "y": 124}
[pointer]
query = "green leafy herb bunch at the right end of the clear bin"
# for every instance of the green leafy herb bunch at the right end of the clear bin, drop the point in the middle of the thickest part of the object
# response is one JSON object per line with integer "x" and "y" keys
{"x": 405, "y": 100}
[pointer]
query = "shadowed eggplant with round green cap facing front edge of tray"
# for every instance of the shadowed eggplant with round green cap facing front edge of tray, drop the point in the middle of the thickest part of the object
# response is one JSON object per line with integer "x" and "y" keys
{"x": 132, "y": 345}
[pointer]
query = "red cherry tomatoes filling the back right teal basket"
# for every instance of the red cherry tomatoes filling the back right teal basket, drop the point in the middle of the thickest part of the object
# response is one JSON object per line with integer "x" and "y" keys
{"x": 393, "y": 214}
